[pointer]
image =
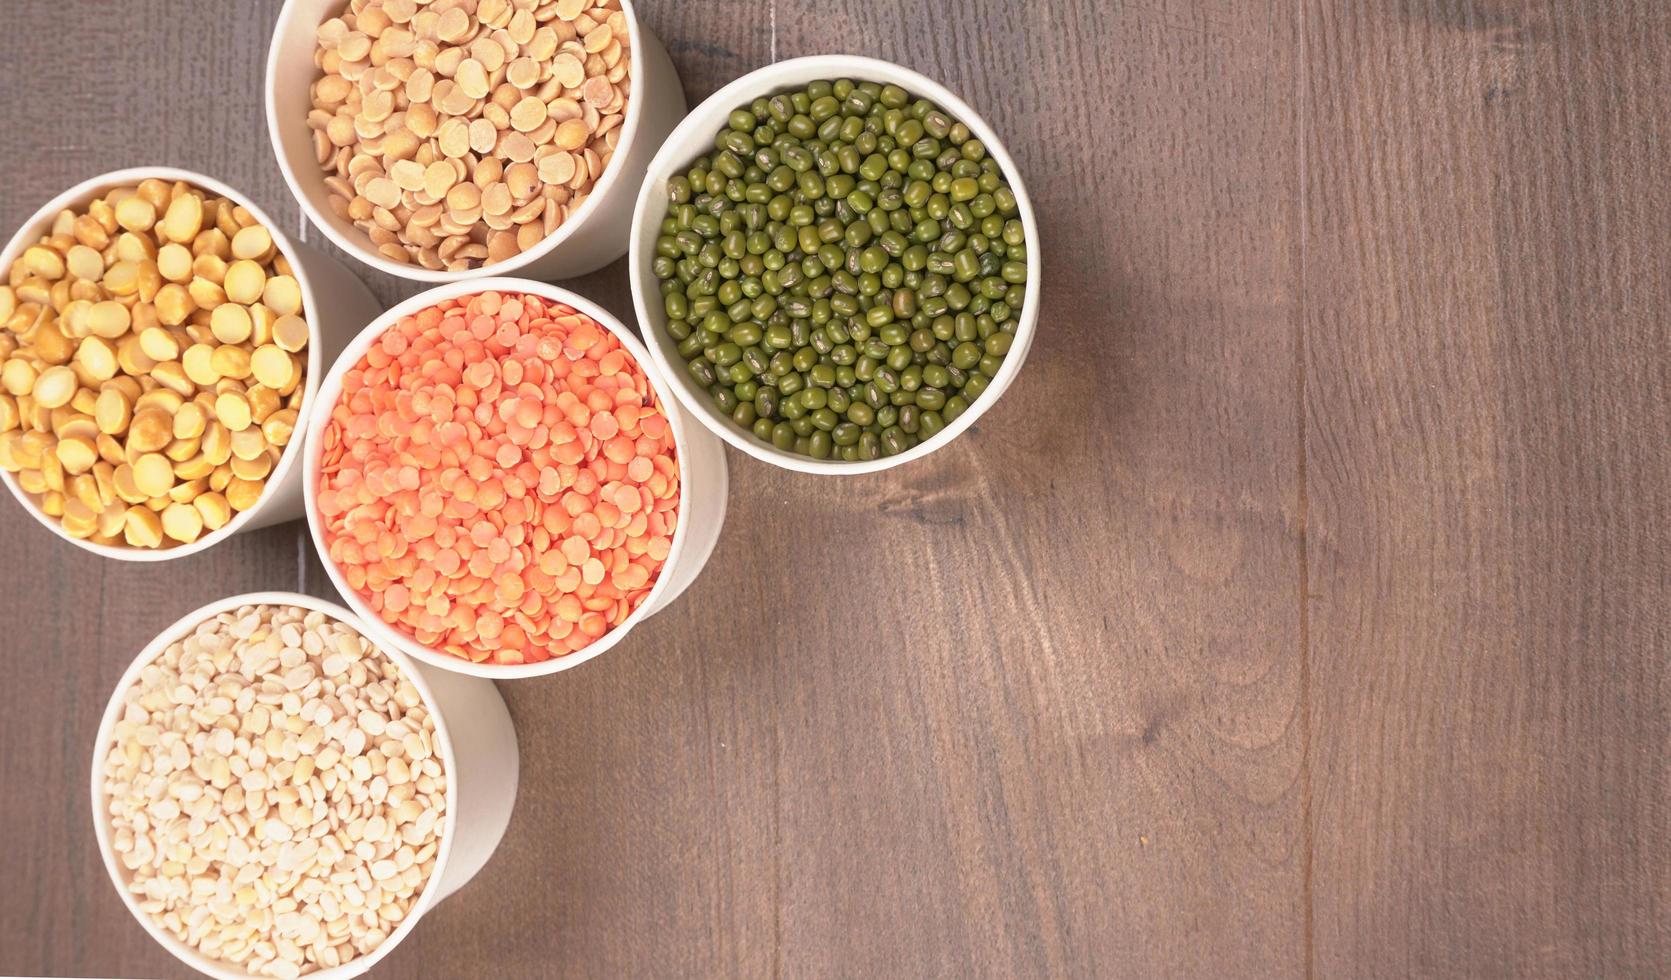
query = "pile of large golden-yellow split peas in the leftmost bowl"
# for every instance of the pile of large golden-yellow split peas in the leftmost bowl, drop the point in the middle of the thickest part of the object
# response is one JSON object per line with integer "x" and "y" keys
{"x": 153, "y": 369}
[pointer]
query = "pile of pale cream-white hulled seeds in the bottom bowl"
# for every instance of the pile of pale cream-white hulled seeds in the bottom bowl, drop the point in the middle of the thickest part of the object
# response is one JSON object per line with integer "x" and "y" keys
{"x": 275, "y": 792}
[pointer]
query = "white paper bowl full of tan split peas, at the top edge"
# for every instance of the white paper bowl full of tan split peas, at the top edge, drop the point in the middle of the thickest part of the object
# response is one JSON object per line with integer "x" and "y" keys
{"x": 447, "y": 141}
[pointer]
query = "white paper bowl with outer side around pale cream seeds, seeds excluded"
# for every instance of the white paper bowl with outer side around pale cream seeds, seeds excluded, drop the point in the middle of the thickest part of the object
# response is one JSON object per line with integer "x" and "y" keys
{"x": 475, "y": 742}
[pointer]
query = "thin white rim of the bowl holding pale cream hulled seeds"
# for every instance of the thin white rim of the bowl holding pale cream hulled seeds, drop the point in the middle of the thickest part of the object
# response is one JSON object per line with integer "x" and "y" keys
{"x": 181, "y": 630}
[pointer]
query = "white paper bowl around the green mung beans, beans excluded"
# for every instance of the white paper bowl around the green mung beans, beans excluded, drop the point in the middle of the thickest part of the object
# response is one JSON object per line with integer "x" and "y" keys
{"x": 694, "y": 138}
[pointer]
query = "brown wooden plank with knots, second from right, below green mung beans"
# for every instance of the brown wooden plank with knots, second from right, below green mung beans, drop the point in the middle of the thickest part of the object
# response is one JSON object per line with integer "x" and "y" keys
{"x": 1104, "y": 752}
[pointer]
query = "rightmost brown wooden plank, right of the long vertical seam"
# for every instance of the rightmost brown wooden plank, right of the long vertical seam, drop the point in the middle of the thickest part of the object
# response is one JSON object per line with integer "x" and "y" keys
{"x": 1486, "y": 471}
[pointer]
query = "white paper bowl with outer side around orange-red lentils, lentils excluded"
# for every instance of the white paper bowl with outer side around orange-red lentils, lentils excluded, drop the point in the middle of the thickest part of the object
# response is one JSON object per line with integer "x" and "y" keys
{"x": 703, "y": 484}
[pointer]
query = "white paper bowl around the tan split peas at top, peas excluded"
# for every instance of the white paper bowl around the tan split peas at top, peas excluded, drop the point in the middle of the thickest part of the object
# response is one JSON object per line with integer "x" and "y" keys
{"x": 591, "y": 240}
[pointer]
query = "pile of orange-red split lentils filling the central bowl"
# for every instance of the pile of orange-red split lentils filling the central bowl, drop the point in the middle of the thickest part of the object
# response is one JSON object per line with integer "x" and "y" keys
{"x": 499, "y": 479}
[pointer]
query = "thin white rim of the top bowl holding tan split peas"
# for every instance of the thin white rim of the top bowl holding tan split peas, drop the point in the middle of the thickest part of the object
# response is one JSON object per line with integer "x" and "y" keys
{"x": 318, "y": 213}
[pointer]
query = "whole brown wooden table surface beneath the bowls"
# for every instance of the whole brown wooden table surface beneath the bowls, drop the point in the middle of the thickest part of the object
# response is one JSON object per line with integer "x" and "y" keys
{"x": 1304, "y": 610}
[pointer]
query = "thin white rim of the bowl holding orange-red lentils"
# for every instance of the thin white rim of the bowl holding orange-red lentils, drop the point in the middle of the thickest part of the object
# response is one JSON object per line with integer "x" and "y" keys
{"x": 332, "y": 390}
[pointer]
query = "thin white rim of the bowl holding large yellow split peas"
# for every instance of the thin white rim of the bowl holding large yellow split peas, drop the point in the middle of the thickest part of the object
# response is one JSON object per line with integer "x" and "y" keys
{"x": 79, "y": 195}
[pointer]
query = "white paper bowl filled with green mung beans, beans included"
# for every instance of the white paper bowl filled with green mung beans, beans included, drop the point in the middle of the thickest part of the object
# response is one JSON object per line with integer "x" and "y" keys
{"x": 836, "y": 265}
